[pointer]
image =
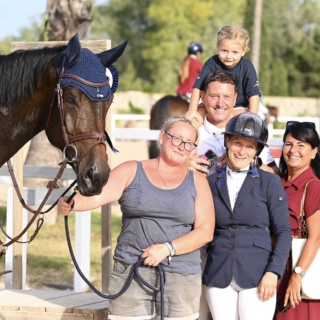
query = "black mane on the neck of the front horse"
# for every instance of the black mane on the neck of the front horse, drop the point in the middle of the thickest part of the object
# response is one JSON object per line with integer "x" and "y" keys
{"x": 21, "y": 72}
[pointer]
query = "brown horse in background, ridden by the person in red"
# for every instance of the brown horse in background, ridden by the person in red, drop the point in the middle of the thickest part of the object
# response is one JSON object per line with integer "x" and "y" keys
{"x": 163, "y": 109}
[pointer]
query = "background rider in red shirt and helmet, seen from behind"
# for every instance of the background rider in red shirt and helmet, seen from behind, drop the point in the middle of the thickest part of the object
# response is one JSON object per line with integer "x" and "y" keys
{"x": 190, "y": 68}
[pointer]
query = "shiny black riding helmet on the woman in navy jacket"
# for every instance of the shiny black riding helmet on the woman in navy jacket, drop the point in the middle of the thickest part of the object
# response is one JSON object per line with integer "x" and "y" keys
{"x": 249, "y": 126}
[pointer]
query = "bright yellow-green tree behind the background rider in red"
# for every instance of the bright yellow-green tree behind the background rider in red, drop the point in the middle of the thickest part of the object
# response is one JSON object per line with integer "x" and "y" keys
{"x": 175, "y": 24}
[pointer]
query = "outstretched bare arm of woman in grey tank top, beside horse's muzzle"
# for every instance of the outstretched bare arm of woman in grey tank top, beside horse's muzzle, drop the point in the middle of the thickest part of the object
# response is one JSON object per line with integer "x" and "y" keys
{"x": 119, "y": 179}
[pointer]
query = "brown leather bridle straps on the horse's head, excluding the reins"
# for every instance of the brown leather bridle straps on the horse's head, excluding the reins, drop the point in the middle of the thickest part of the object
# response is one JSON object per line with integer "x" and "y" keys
{"x": 70, "y": 139}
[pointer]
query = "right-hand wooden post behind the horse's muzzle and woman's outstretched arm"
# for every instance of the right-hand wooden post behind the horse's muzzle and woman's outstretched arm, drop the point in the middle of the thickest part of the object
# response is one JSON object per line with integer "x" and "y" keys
{"x": 106, "y": 237}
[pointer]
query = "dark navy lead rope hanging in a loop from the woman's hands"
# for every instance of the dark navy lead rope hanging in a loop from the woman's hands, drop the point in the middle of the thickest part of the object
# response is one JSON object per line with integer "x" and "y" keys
{"x": 135, "y": 271}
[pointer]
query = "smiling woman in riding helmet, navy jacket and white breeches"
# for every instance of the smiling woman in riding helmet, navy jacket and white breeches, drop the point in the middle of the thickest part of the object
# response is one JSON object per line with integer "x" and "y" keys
{"x": 242, "y": 269}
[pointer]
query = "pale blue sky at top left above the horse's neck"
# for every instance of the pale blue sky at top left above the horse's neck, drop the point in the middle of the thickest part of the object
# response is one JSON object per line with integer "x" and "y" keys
{"x": 15, "y": 14}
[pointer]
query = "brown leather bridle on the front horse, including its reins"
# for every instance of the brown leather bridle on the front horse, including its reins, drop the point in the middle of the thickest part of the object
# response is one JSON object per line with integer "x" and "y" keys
{"x": 101, "y": 137}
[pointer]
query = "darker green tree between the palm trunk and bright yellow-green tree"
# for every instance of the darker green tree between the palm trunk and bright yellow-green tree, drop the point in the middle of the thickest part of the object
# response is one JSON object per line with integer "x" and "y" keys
{"x": 121, "y": 20}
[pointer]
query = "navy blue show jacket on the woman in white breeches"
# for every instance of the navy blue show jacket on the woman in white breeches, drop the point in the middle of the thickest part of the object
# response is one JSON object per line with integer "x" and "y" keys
{"x": 242, "y": 243}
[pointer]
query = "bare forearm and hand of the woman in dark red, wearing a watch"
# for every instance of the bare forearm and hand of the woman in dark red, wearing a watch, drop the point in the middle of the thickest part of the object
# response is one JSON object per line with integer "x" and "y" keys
{"x": 308, "y": 254}
